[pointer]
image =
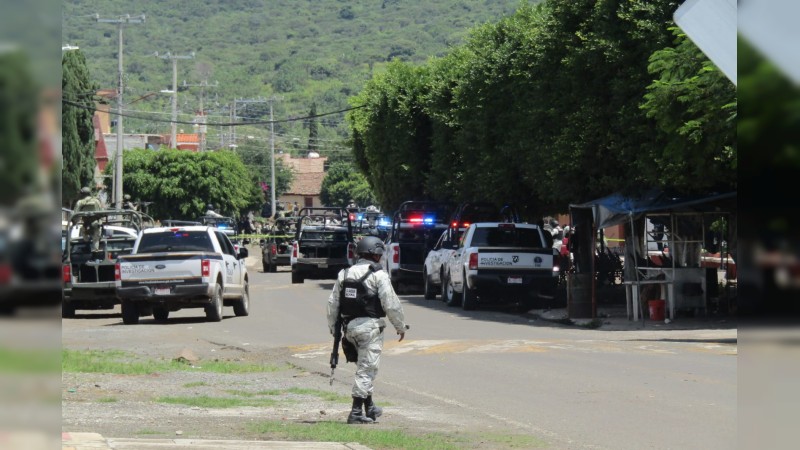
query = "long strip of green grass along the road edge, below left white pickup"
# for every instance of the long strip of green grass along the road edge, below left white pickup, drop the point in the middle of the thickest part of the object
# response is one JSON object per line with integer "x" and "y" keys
{"x": 124, "y": 363}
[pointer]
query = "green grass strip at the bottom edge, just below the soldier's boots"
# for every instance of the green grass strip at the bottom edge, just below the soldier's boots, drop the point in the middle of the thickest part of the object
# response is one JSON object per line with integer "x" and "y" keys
{"x": 365, "y": 435}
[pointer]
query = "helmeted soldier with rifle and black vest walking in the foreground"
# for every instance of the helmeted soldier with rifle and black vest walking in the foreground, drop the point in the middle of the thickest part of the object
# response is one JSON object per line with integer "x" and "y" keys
{"x": 363, "y": 296}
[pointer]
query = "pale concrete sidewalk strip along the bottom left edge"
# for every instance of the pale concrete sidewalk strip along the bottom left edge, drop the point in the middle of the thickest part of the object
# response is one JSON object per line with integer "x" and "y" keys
{"x": 94, "y": 441}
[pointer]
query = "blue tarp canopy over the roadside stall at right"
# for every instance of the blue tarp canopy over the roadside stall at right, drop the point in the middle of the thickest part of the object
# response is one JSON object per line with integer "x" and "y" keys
{"x": 617, "y": 209}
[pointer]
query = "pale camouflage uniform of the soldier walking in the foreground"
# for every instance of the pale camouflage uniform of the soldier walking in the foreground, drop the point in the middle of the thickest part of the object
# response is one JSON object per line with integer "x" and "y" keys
{"x": 364, "y": 332}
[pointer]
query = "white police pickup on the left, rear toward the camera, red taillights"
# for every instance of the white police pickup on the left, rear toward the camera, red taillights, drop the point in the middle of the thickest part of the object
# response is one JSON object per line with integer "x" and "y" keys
{"x": 171, "y": 268}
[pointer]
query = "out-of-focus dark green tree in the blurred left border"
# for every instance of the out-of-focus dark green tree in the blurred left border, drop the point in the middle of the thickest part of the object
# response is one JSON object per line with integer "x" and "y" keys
{"x": 18, "y": 136}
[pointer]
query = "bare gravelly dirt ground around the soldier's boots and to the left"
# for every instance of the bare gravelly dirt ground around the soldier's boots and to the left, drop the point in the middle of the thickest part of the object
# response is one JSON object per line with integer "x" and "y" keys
{"x": 128, "y": 406}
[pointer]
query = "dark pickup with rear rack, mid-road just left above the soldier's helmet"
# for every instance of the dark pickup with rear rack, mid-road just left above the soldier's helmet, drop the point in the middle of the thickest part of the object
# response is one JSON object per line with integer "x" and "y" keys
{"x": 323, "y": 244}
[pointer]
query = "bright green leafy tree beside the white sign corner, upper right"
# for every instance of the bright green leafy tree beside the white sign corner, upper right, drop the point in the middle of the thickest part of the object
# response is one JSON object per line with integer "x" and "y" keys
{"x": 694, "y": 107}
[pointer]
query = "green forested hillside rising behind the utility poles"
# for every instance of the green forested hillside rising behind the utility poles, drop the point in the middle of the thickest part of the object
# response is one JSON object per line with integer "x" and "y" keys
{"x": 307, "y": 53}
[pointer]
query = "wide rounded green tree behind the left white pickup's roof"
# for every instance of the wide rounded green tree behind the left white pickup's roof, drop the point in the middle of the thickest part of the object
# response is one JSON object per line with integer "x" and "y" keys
{"x": 181, "y": 183}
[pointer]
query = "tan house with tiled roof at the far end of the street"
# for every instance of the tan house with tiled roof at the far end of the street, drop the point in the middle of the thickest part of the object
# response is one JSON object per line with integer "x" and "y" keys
{"x": 307, "y": 183}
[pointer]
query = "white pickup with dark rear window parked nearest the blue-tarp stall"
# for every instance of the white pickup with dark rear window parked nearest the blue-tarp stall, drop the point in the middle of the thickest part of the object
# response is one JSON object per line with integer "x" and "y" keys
{"x": 500, "y": 263}
